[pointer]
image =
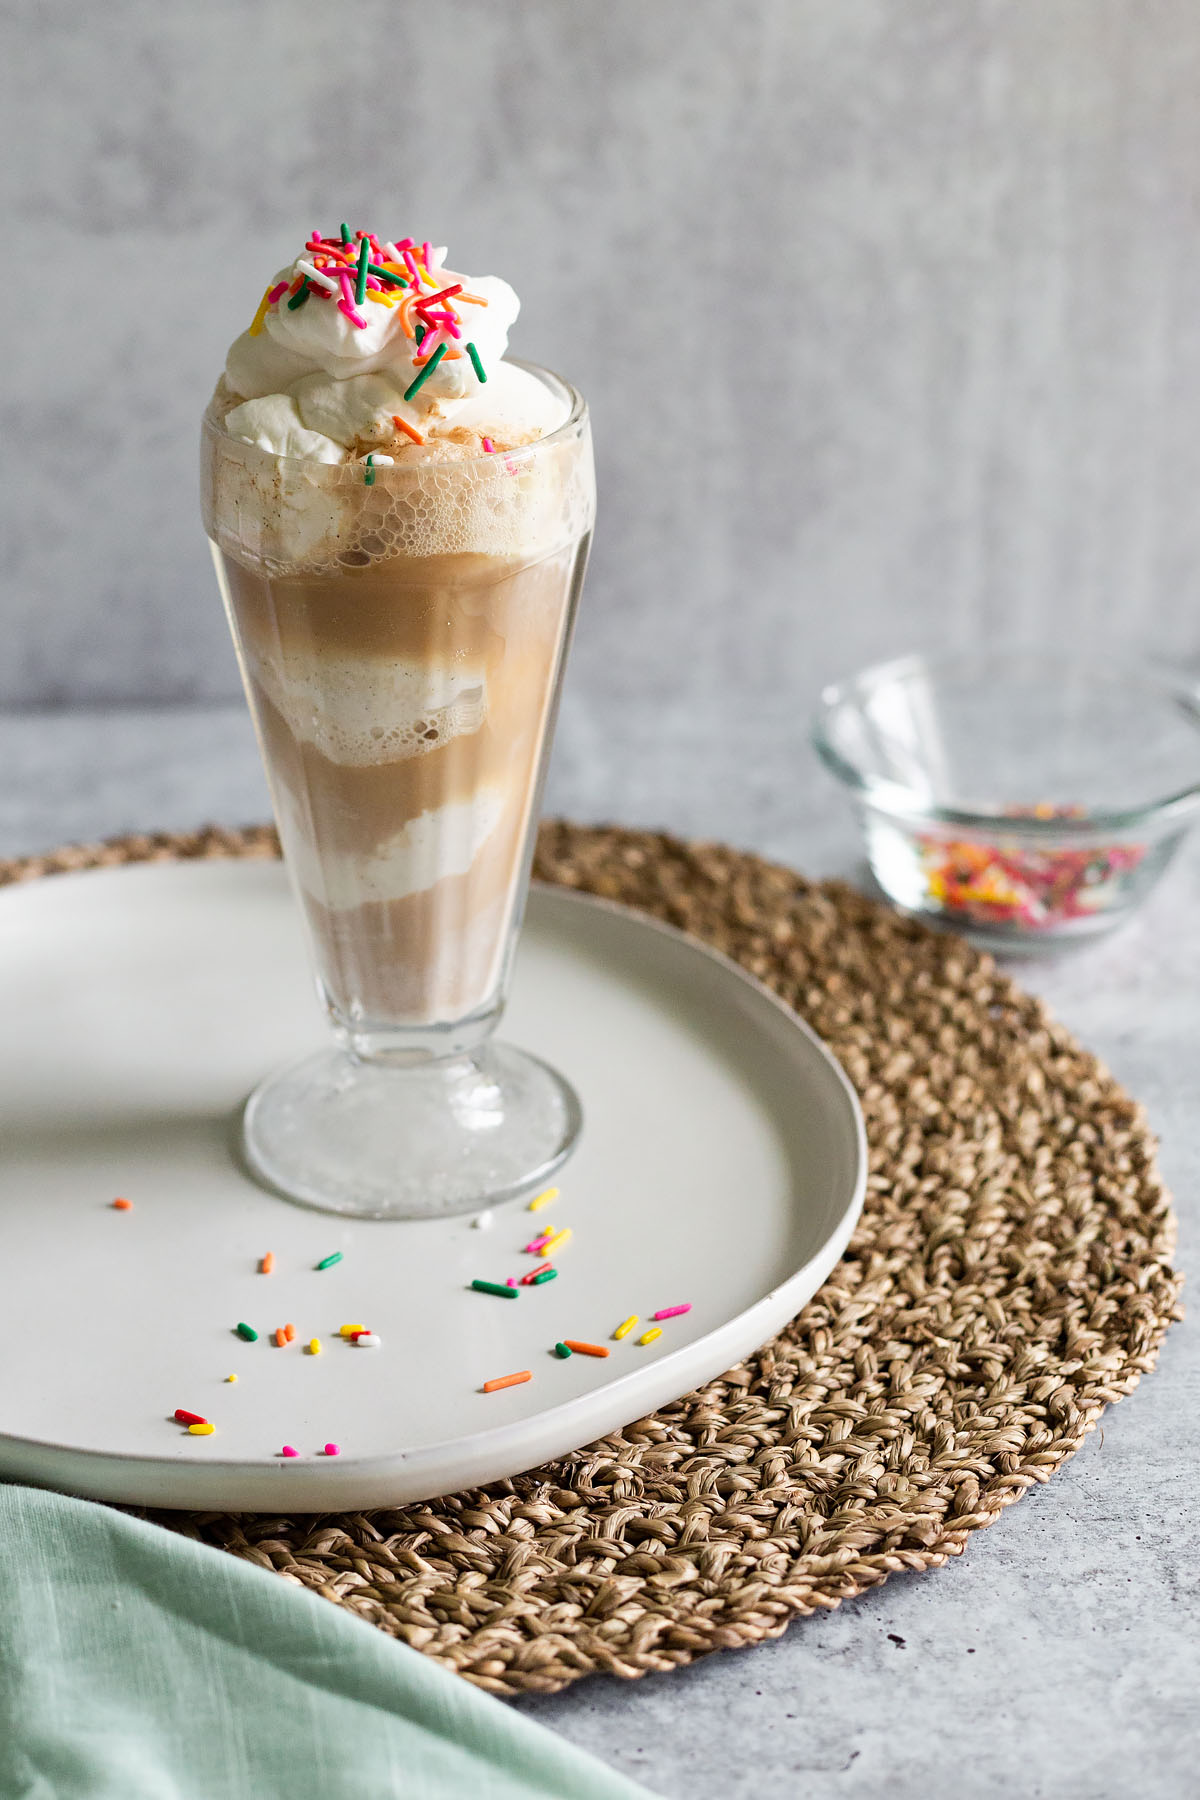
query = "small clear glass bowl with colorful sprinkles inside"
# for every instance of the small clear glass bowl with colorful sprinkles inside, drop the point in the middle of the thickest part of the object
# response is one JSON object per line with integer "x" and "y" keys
{"x": 1023, "y": 796}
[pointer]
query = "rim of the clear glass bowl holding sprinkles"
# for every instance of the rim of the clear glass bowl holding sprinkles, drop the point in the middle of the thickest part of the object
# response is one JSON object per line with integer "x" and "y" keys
{"x": 900, "y": 802}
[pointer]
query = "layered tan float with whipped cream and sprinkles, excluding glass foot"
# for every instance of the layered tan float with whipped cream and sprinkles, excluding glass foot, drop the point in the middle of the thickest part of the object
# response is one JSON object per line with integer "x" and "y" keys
{"x": 400, "y": 523}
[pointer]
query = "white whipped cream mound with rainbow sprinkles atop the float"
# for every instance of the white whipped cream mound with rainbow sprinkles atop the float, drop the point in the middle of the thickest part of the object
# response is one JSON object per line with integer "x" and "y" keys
{"x": 327, "y": 375}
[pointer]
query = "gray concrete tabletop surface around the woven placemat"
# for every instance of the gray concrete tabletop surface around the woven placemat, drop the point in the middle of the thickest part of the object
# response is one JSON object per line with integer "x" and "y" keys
{"x": 1059, "y": 1657}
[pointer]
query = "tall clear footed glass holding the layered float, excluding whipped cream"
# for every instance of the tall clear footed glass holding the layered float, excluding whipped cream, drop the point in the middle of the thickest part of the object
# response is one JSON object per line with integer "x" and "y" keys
{"x": 402, "y": 643}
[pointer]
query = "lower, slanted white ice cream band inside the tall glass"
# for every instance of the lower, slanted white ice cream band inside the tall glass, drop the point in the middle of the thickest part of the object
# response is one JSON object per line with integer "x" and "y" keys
{"x": 431, "y": 849}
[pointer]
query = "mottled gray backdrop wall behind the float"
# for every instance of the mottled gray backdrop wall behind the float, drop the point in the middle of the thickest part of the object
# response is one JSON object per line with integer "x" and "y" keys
{"x": 888, "y": 309}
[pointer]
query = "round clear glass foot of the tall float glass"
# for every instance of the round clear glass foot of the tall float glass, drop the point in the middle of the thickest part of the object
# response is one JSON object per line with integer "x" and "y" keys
{"x": 420, "y": 1142}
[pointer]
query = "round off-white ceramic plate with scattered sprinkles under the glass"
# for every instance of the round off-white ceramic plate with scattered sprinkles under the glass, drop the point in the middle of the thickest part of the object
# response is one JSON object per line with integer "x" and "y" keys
{"x": 722, "y": 1164}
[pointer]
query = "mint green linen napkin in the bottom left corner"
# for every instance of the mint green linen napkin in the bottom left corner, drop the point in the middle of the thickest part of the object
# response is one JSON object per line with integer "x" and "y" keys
{"x": 139, "y": 1666}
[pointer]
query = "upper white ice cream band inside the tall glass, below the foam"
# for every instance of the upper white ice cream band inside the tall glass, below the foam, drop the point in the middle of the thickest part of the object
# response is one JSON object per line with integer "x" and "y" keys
{"x": 366, "y": 710}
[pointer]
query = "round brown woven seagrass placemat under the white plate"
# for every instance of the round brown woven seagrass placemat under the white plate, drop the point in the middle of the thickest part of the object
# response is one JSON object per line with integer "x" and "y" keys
{"x": 1008, "y": 1281}
